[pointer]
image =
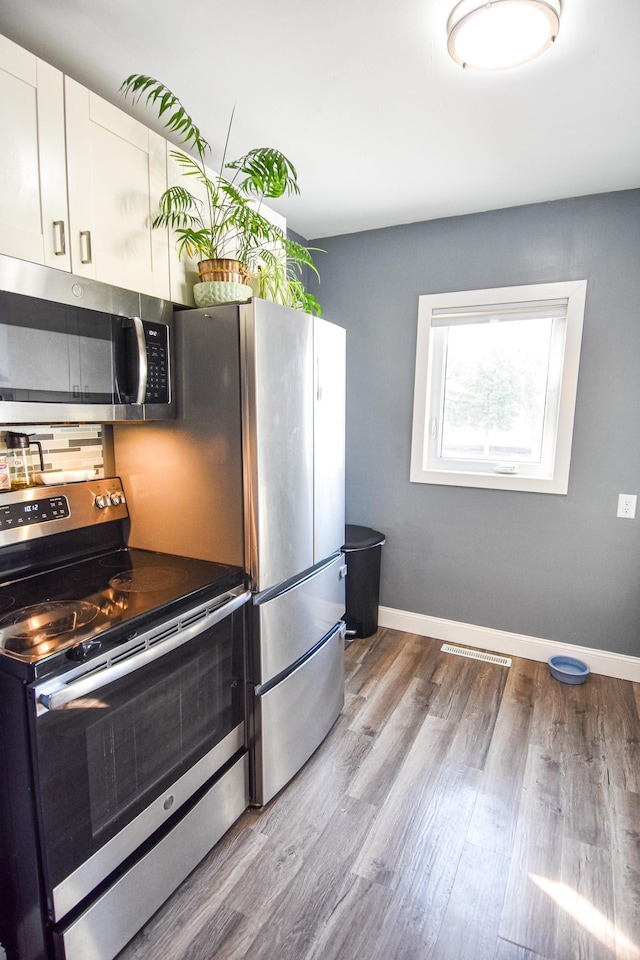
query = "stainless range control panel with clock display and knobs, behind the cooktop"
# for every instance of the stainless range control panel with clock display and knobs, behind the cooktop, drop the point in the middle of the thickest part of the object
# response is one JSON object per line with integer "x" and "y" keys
{"x": 41, "y": 512}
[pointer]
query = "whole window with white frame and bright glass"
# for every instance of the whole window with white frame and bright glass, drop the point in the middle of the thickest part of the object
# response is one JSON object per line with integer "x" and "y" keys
{"x": 496, "y": 376}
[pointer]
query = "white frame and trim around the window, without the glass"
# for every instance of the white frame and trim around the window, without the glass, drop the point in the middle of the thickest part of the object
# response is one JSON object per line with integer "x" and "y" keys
{"x": 429, "y": 372}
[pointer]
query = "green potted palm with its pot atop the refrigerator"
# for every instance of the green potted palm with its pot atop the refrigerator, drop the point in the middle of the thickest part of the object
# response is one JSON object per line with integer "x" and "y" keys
{"x": 238, "y": 248}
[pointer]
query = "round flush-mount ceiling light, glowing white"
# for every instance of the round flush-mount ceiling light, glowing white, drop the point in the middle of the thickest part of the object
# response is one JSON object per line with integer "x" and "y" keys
{"x": 500, "y": 34}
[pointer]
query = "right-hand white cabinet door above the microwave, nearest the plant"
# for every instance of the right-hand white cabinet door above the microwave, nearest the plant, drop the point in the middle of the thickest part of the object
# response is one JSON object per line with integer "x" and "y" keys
{"x": 117, "y": 171}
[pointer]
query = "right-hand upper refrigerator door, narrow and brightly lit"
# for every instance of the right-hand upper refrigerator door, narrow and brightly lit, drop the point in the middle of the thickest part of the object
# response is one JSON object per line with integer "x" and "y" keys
{"x": 329, "y": 437}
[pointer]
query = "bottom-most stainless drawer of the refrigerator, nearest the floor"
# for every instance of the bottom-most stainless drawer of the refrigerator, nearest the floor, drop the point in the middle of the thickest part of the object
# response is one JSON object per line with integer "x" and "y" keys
{"x": 292, "y": 718}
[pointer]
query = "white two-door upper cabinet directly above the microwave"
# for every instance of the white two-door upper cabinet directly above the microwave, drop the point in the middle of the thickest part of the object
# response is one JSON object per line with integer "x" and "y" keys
{"x": 80, "y": 179}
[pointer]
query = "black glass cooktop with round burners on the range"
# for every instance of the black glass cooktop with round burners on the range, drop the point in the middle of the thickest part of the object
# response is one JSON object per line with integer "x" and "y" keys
{"x": 42, "y": 615}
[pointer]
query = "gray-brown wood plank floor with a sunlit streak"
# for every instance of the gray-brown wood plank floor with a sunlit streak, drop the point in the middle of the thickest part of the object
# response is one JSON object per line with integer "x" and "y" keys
{"x": 457, "y": 811}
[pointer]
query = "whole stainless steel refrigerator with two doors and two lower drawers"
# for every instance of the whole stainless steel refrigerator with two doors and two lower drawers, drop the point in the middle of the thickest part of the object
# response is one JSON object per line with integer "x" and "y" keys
{"x": 252, "y": 472}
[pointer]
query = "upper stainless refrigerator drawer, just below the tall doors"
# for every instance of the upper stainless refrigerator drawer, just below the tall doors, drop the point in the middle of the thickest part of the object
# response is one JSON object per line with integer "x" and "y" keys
{"x": 292, "y": 622}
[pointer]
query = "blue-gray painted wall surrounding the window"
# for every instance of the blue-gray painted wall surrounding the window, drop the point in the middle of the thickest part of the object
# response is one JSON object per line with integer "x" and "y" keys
{"x": 558, "y": 567}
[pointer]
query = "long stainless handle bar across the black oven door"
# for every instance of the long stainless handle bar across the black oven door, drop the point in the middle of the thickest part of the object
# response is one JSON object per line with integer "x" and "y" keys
{"x": 55, "y": 694}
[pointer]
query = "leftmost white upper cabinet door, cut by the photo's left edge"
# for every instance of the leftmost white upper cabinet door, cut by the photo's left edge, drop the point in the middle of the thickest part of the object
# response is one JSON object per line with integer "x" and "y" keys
{"x": 33, "y": 199}
